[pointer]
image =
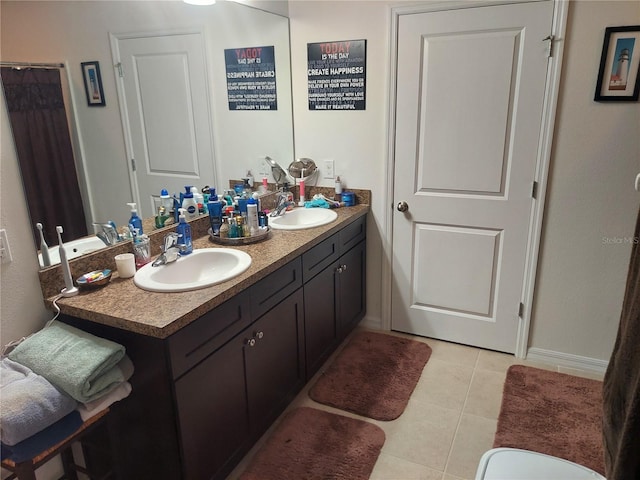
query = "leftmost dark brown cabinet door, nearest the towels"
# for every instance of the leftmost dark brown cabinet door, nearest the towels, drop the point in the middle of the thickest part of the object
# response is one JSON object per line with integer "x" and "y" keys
{"x": 212, "y": 412}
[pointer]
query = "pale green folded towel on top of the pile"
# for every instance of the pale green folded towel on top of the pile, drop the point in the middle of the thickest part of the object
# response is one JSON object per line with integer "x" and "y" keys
{"x": 82, "y": 365}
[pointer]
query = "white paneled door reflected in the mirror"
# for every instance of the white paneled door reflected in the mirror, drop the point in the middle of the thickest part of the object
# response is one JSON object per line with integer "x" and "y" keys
{"x": 166, "y": 109}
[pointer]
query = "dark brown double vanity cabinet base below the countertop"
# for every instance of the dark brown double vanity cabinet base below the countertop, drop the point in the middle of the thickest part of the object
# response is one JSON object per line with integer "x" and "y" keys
{"x": 202, "y": 397}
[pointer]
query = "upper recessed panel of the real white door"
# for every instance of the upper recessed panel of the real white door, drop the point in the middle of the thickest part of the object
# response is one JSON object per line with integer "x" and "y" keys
{"x": 470, "y": 158}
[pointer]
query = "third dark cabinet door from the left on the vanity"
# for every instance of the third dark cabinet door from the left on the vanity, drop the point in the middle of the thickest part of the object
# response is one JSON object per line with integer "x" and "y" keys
{"x": 320, "y": 326}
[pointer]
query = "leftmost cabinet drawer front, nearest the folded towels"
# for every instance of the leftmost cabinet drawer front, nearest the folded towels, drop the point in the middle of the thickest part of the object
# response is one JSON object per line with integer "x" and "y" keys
{"x": 197, "y": 341}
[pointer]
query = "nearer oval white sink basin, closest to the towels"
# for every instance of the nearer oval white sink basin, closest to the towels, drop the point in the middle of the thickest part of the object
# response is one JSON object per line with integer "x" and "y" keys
{"x": 202, "y": 268}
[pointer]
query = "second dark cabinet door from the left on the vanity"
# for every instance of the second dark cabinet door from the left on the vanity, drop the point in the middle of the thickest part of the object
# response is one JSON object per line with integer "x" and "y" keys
{"x": 274, "y": 357}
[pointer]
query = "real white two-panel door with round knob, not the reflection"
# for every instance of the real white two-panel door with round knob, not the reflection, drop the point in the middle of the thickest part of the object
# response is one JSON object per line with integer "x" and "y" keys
{"x": 471, "y": 88}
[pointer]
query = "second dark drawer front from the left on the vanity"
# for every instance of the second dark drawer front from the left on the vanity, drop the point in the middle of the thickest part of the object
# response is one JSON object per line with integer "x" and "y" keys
{"x": 269, "y": 291}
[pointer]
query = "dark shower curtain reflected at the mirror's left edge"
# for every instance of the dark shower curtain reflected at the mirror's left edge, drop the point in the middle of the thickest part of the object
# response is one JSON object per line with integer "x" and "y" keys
{"x": 43, "y": 145}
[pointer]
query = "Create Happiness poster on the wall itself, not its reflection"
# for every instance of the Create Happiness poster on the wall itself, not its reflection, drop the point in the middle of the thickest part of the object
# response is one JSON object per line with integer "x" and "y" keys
{"x": 337, "y": 75}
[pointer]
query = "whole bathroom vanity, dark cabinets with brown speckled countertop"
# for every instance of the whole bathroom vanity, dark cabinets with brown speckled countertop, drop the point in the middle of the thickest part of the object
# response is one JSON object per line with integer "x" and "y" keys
{"x": 216, "y": 366}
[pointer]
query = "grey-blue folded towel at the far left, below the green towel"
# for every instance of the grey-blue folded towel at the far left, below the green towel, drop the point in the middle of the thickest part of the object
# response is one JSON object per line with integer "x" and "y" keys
{"x": 28, "y": 403}
